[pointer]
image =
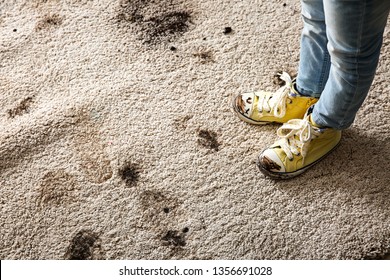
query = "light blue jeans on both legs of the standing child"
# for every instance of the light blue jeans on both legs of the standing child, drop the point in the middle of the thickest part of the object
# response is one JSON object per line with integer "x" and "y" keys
{"x": 340, "y": 47}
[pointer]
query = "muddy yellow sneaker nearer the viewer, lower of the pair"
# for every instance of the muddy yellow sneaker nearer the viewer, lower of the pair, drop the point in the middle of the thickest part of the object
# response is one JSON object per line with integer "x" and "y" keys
{"x": 301, "y": 145}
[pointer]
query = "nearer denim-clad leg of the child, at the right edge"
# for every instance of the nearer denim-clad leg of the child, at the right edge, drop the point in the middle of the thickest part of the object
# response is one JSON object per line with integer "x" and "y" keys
{"x": 355, "y": 33}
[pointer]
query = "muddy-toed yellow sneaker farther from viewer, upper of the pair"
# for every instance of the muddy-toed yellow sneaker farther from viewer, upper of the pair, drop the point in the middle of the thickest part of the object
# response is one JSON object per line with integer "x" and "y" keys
{"x": 264, "y": 107}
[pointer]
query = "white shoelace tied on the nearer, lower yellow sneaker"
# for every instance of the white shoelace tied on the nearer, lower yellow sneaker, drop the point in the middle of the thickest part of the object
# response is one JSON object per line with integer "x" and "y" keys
{"x": 296, "y": 135}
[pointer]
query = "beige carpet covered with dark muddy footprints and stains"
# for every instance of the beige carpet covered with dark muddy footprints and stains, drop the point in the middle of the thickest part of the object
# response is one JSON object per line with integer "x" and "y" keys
{"x": 117, "y": 140}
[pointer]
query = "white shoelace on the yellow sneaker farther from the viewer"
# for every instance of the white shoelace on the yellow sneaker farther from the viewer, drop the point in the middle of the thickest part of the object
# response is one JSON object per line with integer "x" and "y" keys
{"x": 275, "y": 103}
